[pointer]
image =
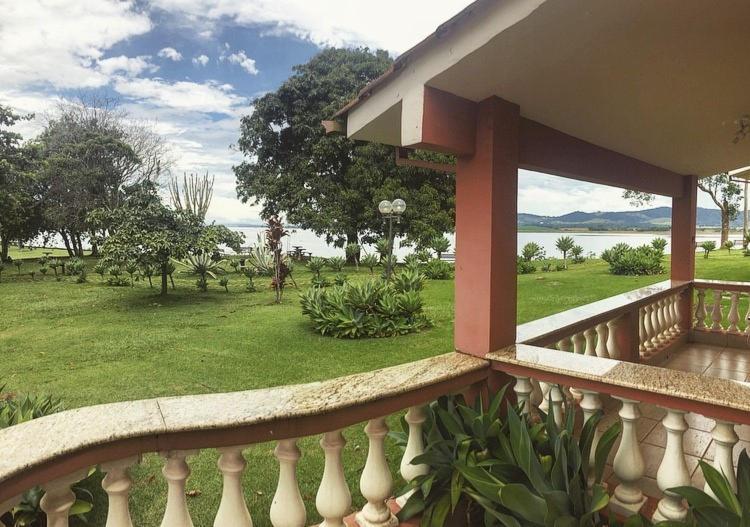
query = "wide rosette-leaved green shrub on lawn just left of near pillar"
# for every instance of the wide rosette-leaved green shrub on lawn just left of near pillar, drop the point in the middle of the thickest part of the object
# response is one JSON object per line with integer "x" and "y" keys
{"x": 369, "y": 309}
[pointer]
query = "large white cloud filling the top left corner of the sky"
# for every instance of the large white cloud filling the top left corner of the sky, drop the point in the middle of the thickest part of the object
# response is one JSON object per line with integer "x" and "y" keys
{"x": 58, "y": 43}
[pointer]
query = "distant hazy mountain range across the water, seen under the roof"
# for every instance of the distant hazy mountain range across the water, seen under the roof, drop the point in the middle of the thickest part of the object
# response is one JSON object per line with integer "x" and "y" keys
{"x": 658, "y": 218}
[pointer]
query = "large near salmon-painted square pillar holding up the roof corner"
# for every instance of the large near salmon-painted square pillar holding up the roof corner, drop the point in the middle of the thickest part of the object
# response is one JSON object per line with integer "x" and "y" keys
{"x": 486, "y": 232}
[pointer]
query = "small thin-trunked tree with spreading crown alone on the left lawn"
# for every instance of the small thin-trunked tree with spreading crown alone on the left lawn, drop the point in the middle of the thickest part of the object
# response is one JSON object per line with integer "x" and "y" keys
{"x": 148, "y": 232}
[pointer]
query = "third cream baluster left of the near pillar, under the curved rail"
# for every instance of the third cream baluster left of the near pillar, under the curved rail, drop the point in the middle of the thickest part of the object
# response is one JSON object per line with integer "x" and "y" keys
{"x": 333, "y": 499}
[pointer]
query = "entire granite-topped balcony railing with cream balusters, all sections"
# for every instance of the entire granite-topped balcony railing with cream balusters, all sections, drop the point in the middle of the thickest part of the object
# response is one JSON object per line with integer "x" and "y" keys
{"x": 614, "y": 346}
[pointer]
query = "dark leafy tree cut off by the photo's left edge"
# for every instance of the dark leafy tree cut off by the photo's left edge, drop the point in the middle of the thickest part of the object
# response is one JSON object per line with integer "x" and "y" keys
{"x": 20, "y": 202}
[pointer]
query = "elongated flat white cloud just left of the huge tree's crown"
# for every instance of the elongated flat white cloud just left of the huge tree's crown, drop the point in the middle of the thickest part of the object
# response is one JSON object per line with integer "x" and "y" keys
{"x": 207, "y": 97}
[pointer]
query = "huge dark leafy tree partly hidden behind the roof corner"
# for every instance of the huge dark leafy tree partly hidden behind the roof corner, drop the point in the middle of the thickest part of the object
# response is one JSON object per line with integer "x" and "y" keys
{"x": 331, "y": 184}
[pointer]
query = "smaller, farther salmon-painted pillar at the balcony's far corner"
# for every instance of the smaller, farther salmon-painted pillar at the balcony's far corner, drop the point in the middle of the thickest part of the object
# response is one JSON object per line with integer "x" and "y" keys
{"x": 684, "y": 210}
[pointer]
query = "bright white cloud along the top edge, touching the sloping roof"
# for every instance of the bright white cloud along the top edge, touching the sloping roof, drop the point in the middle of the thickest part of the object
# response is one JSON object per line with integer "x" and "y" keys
{"x": 391, "y": 24}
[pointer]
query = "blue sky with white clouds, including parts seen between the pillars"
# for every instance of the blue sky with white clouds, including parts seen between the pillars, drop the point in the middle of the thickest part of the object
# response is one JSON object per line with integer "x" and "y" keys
{"x": 192, "y": 68}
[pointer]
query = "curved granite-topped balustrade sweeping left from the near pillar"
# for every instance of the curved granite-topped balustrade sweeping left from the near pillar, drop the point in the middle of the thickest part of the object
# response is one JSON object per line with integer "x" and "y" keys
{"x": 114, "y": 436}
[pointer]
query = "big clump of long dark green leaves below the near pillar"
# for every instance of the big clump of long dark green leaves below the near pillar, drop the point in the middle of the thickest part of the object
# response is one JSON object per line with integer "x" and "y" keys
{"x": 508, "y": 472}
